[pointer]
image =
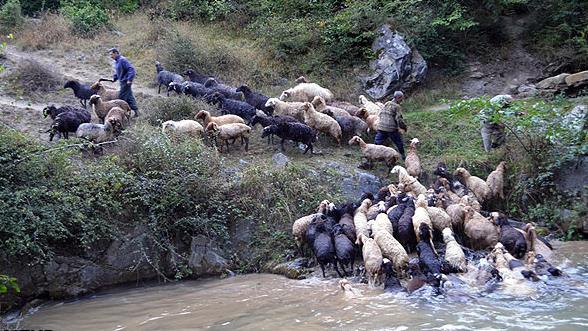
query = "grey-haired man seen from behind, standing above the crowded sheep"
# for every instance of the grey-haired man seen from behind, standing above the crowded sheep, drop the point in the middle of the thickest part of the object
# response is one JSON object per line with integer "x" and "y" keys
{"x": 390, "y": 123}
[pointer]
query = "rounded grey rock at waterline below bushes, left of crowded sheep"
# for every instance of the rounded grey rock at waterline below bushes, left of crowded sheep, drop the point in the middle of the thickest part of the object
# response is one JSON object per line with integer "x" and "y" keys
{"x": 205, "y": 257}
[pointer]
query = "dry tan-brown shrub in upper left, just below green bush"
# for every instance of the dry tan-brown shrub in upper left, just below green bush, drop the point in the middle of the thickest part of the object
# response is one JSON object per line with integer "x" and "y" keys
{"x": 52, "y": 29}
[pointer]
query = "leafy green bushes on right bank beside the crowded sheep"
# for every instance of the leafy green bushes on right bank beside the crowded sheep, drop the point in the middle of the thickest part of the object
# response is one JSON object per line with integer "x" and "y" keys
{"x": 544, "y": 137}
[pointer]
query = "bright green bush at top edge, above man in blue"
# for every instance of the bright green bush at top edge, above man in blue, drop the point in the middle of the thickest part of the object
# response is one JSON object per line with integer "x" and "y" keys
{"x": 86, "y": 17}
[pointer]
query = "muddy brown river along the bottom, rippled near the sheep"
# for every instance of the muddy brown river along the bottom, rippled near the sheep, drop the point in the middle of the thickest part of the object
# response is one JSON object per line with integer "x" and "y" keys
{"x": 271, "y": 302}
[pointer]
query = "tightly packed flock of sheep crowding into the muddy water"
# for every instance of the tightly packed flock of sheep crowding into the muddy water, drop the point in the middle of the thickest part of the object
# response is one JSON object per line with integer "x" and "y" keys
{"x": 445, "y": 226}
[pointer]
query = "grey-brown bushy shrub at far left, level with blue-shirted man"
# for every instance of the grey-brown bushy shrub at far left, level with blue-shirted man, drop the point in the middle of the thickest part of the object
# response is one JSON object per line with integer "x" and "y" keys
{"x": 31, "y": 76}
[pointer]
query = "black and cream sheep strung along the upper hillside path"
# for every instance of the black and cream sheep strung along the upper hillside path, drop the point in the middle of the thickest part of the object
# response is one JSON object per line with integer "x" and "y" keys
{"x": 299, "y": 114}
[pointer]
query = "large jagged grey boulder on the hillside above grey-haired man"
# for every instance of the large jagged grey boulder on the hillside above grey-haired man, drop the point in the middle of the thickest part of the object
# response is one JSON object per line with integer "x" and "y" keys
{"x": 398, "y": 67}
